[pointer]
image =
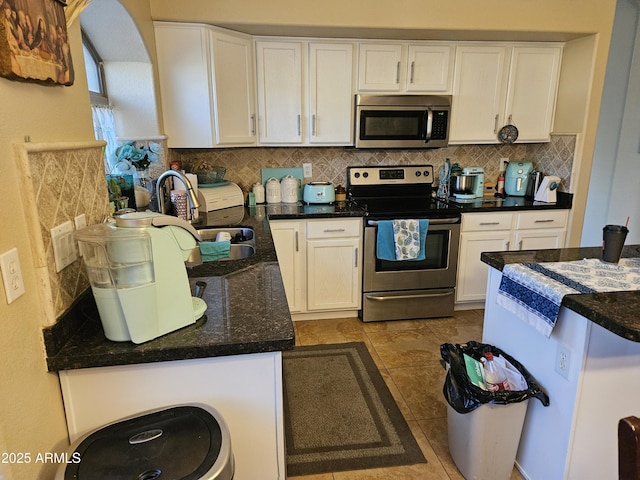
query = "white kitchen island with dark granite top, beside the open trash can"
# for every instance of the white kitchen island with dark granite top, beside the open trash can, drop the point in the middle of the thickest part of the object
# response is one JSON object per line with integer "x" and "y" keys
{"x": 589, "y": 366}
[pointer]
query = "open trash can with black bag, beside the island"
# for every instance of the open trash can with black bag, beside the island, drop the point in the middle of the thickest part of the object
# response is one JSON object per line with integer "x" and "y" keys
{"x": 484, "y": 427}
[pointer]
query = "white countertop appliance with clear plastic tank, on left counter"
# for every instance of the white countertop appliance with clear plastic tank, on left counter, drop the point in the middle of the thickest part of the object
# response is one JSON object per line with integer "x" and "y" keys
{"x": 138, "y": 275}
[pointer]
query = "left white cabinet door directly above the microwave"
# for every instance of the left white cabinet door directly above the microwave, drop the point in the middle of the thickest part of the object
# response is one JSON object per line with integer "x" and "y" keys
{"x": 379, "y": 67}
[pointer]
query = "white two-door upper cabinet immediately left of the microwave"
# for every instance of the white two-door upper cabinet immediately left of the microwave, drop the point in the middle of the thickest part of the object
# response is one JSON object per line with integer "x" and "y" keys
{"x": 305, "y": 92}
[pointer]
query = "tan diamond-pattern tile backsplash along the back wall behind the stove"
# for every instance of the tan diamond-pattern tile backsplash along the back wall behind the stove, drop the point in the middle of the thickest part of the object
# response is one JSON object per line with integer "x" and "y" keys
{"x": 330, "y": 164}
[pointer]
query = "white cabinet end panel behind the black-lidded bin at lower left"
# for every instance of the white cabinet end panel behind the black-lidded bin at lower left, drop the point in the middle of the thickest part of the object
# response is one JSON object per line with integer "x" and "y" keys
{"x": 245, "y": 389}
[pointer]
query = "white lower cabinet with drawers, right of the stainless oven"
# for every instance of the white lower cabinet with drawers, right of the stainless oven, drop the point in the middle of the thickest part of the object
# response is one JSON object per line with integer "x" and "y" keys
{"x": 494, "y": 232}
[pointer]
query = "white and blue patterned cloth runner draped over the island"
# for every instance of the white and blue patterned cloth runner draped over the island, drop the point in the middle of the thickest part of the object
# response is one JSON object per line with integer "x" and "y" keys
{"x": 534, "y": 291}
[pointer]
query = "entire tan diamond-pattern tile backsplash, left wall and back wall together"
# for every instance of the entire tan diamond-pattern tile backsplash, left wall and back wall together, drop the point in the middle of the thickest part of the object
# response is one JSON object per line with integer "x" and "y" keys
{"x": 66, "y": 180}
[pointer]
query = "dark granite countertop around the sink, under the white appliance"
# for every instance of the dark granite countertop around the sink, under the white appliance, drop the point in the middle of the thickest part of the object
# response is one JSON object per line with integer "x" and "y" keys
{"x": 247, "y": 312}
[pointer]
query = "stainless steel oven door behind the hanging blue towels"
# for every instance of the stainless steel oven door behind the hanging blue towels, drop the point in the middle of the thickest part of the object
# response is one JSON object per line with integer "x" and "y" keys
{"x": 438, "y": 270}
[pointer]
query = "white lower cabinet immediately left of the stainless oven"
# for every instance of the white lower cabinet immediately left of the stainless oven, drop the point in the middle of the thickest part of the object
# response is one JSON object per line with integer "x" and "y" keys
{"x": 320, "y": 261}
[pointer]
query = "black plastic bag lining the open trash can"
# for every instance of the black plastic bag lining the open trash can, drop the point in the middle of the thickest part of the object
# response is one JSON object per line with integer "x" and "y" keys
{"x": 464, "y": 396}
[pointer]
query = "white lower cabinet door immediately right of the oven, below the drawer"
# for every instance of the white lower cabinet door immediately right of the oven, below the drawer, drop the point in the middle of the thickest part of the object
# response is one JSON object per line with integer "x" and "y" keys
{"x": 472, "y": 272}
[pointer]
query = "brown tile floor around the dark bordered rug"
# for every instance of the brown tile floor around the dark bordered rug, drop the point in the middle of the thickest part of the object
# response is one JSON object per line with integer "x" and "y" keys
{"x": 408, "y": 356}
